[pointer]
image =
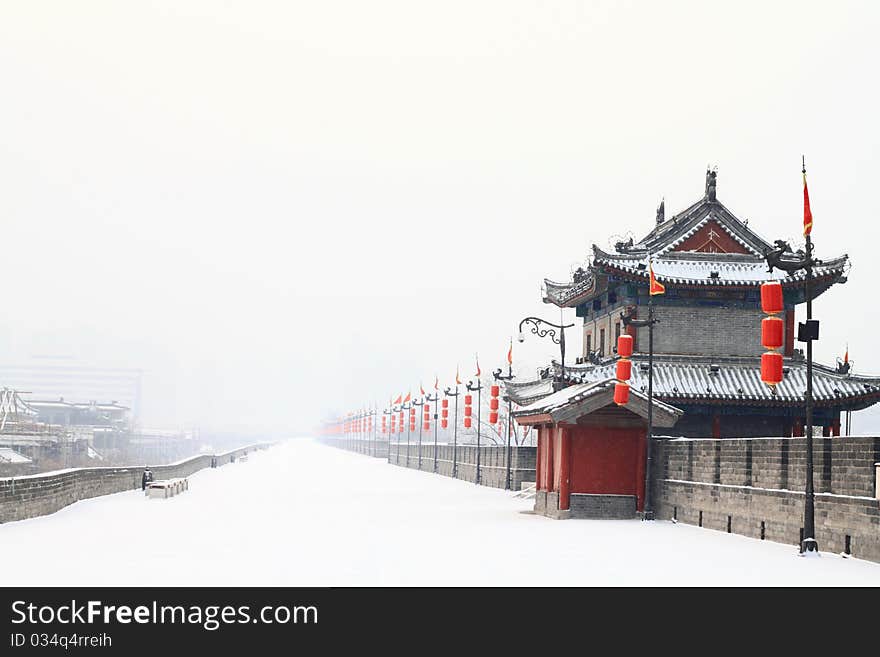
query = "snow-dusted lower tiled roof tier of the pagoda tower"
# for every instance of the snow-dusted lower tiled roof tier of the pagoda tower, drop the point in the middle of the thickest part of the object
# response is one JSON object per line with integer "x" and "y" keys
{"x": 728, "y": 380}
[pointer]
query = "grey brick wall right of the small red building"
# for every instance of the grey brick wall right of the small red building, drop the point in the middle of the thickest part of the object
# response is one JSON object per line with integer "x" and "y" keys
{"x": 755, "y": 486}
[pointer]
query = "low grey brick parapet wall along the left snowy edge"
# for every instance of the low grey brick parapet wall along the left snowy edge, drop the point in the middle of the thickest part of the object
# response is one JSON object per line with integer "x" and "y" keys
{"x": 37, "y": 495}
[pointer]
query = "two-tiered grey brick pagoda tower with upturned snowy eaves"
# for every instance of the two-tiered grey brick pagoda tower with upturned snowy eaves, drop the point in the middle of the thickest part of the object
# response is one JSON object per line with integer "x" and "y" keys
{"x": 707, "y": 342}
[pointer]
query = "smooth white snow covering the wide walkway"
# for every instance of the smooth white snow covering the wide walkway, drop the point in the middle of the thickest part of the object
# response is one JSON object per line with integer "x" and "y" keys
{"x": 302, "y": 514}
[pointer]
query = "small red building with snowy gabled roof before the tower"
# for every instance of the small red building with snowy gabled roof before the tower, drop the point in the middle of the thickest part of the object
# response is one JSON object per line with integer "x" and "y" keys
{"x": 591, "y": 454}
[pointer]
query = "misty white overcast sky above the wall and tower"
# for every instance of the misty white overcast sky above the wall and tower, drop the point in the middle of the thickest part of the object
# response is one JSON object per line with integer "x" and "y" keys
{"x": 282, "y": 209}
